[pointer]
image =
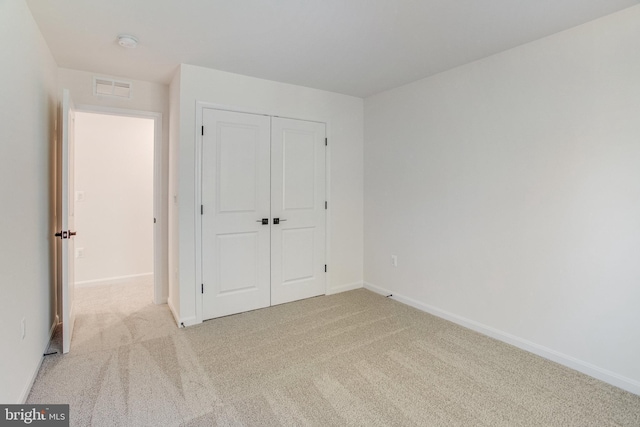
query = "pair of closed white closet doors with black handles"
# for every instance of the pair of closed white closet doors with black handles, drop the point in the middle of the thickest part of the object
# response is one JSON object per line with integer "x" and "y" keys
{"x": 263, "y": 213}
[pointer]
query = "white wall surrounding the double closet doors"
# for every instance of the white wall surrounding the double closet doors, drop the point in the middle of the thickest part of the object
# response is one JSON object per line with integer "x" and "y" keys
{"x": 344, "y": 116}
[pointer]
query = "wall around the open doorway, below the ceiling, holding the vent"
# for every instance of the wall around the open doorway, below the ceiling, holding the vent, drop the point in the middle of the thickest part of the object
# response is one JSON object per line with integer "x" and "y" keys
{"x": 146, "y": 96}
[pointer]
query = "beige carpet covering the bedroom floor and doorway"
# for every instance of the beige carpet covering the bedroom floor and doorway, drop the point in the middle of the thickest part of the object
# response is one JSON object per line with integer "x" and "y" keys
{"x": 354, "y": 358}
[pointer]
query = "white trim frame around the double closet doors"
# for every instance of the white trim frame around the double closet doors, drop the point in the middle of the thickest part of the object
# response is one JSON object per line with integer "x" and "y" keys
{"x": 200, "y": 106}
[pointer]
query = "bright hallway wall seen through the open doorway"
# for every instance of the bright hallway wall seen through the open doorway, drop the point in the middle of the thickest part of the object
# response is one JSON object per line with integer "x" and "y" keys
{"x": 114, "y": 172}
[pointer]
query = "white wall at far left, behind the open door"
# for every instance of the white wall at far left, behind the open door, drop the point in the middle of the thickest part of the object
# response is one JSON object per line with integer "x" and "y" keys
{"x": 27, "y": 127}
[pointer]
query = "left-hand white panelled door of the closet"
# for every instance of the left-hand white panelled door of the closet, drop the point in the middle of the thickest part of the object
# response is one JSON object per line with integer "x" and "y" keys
{"x": 235, "y": 198}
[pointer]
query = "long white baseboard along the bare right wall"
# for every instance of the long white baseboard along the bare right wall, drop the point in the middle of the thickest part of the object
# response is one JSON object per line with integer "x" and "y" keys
{"x": 605, "y": 375}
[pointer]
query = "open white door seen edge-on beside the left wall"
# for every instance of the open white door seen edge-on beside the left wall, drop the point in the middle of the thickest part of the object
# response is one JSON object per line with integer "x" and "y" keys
{"x": 66, "y": 282}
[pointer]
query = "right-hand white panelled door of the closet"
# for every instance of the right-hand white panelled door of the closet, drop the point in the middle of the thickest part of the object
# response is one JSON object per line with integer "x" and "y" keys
{"x": 297, "y": 209}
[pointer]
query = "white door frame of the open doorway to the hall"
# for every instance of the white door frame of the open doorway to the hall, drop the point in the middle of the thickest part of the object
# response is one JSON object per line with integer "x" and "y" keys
{"x": 158, "y": 277}
